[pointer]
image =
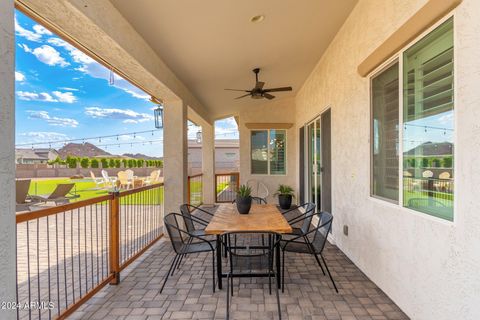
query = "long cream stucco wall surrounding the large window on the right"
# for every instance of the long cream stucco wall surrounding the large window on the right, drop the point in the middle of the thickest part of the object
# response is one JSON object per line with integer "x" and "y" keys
{"x": 428, "y": 266}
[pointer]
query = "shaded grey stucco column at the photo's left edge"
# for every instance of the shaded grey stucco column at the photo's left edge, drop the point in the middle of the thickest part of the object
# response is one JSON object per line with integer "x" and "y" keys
{"x": 7, "y": 158}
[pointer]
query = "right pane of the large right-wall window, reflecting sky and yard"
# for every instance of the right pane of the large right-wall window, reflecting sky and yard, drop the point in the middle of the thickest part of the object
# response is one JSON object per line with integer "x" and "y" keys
{"x": 428, "y": 124}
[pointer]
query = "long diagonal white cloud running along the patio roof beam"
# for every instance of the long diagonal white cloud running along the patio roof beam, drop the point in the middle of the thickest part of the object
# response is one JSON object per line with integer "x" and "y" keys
{"x": 96, "y": 70}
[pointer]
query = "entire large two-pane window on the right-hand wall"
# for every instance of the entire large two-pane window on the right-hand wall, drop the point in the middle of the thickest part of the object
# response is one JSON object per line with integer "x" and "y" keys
{"x": 427, "y": 122}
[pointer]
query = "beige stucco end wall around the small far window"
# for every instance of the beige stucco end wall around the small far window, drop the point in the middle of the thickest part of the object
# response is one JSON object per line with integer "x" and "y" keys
{"x": 279, "y": 111}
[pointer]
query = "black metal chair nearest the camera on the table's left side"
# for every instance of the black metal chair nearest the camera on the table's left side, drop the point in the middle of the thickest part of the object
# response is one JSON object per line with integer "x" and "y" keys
{"x": 185, "y": 243}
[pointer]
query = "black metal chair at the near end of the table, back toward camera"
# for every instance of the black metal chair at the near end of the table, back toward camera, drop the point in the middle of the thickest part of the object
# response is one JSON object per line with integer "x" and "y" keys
{"x": 251, "y": 259}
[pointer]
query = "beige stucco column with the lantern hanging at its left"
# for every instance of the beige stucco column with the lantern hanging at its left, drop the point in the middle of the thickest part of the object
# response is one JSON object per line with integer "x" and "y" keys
{"x": 175, "y": 151}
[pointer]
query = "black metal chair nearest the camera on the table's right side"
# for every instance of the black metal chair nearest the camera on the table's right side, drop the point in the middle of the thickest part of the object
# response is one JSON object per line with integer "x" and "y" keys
{"x": 300, "y": 244}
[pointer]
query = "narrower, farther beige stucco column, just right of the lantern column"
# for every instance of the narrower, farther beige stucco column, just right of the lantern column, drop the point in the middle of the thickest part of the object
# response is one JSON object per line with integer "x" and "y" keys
{"x": 208, "y": 163}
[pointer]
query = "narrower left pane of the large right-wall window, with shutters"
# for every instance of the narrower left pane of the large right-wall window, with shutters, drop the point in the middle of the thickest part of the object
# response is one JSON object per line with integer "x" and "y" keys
{"x": 385, "y": 104}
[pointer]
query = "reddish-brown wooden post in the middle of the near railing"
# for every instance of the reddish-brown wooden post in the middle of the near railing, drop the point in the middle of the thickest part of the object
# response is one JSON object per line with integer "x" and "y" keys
{"x": 115, "y": 237}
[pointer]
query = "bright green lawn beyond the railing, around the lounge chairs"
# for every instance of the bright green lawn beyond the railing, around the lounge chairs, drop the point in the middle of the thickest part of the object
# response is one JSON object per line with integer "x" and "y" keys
{"x": 86, "y": 189}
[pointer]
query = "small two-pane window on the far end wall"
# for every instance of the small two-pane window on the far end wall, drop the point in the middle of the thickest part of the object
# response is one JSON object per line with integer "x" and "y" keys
{"x": 268, "y": 152}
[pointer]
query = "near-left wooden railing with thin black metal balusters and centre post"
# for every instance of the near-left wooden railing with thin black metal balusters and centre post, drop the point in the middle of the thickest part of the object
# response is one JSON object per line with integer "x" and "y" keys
{"x": 67, "y": 253}
